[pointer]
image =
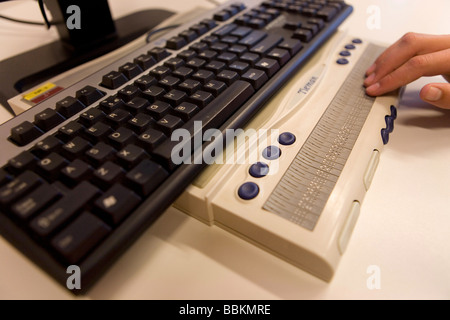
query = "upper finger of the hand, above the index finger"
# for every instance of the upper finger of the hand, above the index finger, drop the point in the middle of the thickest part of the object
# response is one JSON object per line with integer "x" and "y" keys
{"x": 410, "y": 45}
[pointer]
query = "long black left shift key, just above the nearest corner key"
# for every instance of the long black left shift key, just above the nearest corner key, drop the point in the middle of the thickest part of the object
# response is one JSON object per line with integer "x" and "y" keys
{"x": 63, "y": 210}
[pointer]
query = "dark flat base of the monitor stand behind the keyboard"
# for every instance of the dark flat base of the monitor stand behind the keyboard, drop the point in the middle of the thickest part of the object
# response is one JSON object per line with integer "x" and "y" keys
{"x": 23, "y": 72}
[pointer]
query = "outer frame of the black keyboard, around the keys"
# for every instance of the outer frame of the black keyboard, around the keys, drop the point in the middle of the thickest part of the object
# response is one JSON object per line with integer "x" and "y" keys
{"x": 103, "y": 256}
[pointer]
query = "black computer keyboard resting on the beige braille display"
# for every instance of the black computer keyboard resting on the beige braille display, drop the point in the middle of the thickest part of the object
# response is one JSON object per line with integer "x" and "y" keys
{"x": 86, "y": 171}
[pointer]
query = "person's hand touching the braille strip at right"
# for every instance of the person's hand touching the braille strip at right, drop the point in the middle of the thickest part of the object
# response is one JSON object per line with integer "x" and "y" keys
{"x": 411, "y": 57}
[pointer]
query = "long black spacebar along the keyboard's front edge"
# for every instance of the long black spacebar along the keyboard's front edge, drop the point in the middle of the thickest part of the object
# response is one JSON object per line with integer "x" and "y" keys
{"x": 212, "y": 116}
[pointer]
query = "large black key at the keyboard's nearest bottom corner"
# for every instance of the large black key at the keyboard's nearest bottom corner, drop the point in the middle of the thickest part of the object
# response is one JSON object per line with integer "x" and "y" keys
{"x": 80, "y": 237}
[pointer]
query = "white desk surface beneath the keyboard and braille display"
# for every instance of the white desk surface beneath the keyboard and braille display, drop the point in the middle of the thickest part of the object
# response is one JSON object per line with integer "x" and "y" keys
{"x": 403, "y": 228}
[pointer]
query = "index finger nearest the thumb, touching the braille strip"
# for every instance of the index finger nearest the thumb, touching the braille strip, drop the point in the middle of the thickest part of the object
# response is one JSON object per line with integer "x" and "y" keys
{"x": 424, "y": 65}
